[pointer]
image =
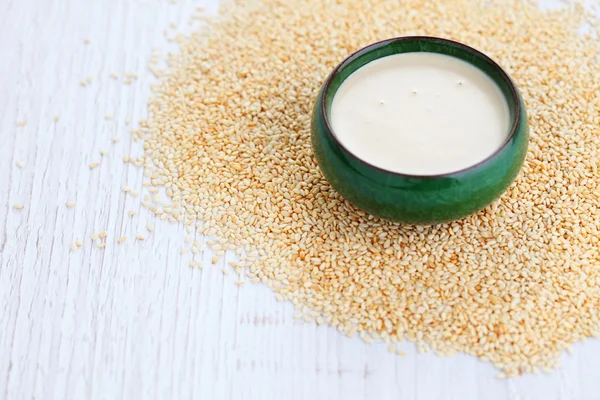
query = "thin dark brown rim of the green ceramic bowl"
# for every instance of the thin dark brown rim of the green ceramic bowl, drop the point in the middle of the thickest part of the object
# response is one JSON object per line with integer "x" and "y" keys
{"x": 515, "y": 121}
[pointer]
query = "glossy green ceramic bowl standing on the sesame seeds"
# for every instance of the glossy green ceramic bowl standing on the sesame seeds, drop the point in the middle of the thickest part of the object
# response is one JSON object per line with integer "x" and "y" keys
{"x": 415, "y": 199}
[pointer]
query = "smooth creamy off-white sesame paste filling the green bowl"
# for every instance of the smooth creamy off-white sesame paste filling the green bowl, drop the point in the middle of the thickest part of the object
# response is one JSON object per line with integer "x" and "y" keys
{"x": 420, "y": 113}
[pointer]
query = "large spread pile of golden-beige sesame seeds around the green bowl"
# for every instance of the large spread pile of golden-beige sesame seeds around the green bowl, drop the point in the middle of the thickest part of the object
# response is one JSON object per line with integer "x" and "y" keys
{"x": 228, "y": 138}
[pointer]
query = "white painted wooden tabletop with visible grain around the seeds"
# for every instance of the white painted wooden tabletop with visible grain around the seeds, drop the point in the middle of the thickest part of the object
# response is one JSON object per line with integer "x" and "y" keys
{"x": 133, "y": 321}
